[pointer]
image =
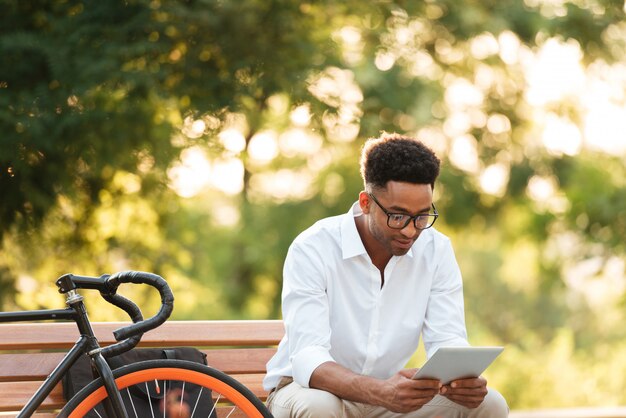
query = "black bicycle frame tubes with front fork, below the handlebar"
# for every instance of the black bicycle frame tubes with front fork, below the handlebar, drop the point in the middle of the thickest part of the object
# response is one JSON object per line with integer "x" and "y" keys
{"x": 87, "y": 343}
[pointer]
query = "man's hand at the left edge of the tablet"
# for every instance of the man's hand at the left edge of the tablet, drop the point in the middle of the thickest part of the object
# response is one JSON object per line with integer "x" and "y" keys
{"x": 403, "y": 394}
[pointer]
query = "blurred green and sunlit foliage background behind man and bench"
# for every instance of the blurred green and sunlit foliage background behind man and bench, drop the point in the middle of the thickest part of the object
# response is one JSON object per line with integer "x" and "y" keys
{"x": 196, "y": 139}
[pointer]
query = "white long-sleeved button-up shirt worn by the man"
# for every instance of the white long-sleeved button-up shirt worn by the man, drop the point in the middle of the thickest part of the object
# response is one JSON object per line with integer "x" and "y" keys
{"x": 334, "y": 308}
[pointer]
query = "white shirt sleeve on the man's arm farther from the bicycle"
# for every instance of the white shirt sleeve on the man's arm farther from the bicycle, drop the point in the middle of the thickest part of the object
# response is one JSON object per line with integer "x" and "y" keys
{"x": 444, "y": 324}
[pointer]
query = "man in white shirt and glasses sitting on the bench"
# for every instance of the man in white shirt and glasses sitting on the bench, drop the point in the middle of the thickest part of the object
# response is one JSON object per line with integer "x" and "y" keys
{"x": 359, "y": 290}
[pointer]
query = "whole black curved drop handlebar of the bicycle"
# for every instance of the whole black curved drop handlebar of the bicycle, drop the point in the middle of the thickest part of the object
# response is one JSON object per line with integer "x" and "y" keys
{"x": 130, "y": 335}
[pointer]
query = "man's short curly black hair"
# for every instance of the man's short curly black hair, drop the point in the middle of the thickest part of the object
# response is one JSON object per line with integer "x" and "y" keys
{"x": 394, "y": 157}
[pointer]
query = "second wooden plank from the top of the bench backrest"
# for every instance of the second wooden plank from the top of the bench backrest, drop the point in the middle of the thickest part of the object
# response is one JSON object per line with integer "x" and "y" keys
{"x": 36, "y": 366}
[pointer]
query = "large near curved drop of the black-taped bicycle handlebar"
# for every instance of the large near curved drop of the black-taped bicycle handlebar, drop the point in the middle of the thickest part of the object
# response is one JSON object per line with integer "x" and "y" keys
{"x": 167, "y": 301}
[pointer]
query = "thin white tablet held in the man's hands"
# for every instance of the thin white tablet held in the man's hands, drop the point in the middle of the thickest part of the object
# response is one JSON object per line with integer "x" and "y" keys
{"x": 453, "y": 363}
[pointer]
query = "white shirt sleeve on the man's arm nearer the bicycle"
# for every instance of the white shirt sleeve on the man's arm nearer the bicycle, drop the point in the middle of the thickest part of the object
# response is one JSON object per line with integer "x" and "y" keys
{"x": 305, "y": 311}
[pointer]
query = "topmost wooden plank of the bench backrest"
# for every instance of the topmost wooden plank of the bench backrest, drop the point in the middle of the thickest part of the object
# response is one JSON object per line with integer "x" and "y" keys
{"x": 25, "y": 336}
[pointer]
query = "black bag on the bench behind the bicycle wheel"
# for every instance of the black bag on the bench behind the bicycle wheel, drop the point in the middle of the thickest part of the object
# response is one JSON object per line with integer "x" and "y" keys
{"x": 145, "y": 400}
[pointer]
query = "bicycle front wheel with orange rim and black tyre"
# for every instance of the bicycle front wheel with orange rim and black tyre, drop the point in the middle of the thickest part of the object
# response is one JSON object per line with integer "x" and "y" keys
{"x": 169, "y": 388}
